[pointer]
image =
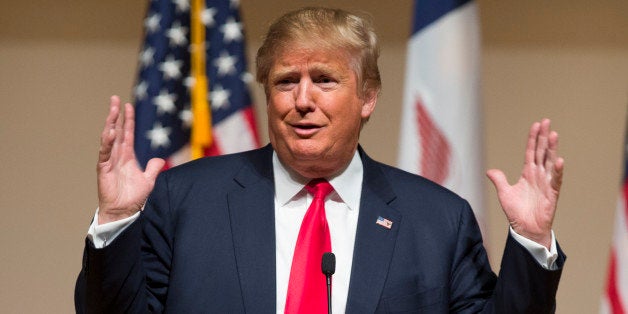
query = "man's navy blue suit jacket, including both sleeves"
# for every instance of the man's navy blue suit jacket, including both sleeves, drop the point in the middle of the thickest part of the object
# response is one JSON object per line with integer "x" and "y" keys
{"x": 206, "y": 244}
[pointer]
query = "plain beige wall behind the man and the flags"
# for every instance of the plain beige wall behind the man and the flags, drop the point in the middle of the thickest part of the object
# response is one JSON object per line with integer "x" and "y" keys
{"x": 60, "y": 60}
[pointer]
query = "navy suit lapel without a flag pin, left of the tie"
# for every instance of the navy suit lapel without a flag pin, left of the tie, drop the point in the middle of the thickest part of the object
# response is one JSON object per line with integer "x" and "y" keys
{"x": 252, "y": 214}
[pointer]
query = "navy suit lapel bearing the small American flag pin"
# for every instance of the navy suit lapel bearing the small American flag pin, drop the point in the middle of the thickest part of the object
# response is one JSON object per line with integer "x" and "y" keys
{"x": 374, "y": 243}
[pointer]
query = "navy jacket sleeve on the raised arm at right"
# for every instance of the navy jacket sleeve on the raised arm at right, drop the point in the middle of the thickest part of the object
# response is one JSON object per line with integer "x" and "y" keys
{"x": 523, "y": 285}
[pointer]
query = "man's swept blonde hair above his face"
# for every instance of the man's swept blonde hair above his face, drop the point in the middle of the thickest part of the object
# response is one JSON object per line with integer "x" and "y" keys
{"x": 326, "y": 28}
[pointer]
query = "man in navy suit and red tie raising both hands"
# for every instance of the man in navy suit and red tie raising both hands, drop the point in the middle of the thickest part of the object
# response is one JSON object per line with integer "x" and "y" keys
{"x": 225, "y": 234}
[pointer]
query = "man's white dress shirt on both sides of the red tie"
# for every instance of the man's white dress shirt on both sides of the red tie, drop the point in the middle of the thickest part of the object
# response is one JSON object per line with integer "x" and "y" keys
{"x": 341, "y": 208}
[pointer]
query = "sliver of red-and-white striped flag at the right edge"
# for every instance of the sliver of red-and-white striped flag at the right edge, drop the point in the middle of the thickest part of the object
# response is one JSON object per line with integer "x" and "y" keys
{"x": 615, "y": 299}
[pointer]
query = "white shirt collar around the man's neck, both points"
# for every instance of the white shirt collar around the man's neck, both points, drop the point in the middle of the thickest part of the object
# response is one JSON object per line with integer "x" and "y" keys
{"x": 347, "y": 184}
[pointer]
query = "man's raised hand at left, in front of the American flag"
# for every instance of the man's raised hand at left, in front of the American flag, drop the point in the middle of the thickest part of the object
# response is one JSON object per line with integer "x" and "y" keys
{"x": 122, "y": 185}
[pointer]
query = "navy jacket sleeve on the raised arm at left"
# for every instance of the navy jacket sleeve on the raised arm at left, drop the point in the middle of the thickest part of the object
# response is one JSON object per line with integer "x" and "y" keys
{"x": 130, "y": 275}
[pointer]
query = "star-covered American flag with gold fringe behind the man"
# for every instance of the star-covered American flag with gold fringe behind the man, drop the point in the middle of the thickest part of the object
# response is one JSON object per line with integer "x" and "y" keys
{"x": 193, "y": 83}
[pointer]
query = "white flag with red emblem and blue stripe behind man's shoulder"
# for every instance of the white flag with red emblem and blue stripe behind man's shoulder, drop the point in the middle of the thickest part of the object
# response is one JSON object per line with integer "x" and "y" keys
{"x": 441, "y": 138}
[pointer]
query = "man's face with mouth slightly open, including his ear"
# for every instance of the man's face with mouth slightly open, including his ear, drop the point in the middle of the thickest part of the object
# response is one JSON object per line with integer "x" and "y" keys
{"x": 314, "y": 111}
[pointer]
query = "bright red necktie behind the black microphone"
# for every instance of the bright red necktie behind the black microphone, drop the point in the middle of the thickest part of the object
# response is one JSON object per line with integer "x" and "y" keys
{"x": 307, "y": 290}
